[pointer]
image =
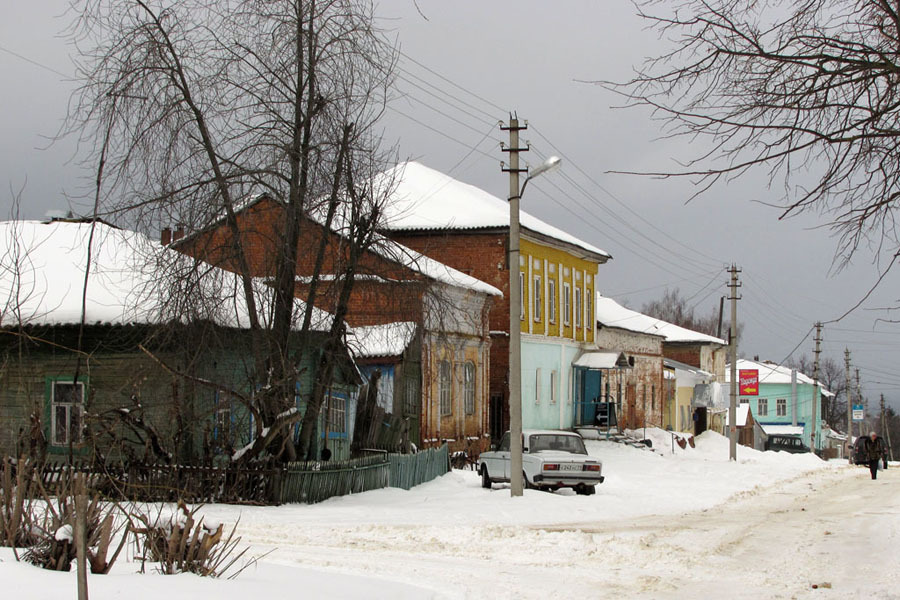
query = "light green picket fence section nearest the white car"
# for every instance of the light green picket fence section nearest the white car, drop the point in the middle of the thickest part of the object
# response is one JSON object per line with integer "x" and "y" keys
{"x": 311, "y": 482}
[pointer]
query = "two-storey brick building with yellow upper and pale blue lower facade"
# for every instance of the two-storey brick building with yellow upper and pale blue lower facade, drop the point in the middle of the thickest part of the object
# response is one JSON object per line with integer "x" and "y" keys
{"x": 468, "y": 229}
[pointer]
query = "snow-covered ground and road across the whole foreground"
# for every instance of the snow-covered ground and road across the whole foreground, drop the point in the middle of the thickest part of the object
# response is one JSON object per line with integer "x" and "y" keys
{"x": 687, "y": 524}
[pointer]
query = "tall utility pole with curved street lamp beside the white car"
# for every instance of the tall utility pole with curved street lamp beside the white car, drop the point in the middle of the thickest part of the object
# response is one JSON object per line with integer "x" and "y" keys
{"x": 515, "y": 327}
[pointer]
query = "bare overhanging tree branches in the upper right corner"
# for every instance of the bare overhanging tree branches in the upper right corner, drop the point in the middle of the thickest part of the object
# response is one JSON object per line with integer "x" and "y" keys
{"x": 806, "y": 90}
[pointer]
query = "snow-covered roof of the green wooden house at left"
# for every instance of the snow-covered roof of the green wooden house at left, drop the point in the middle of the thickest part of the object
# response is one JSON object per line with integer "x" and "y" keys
{"x": 132, "y": 280}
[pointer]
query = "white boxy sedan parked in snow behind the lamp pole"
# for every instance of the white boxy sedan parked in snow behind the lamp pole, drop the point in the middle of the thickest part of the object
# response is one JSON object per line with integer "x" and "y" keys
{"x": 550, "y": 460}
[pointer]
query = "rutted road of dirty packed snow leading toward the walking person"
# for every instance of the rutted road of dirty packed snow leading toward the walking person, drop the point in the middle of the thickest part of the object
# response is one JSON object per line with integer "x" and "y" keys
{"x": 831, "y": 527}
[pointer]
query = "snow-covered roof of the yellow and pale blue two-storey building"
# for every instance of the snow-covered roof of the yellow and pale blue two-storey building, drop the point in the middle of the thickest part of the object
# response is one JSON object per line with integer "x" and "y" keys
{"x": 425, "y": 199}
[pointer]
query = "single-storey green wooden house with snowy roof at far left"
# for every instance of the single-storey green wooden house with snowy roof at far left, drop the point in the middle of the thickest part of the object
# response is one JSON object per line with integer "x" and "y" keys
{"x": 162, "y": 367}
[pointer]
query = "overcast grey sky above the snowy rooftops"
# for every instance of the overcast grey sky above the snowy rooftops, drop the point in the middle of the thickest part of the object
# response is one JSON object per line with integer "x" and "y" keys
{"x": 464, "y": 66}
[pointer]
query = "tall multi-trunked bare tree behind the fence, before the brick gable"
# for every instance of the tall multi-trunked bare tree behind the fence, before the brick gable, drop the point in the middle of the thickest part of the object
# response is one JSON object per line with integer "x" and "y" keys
{"x": 199, "y": 106}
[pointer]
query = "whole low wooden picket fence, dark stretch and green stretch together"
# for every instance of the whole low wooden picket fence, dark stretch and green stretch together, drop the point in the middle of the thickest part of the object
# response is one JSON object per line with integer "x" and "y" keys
{"x": 307, "y": 482}
